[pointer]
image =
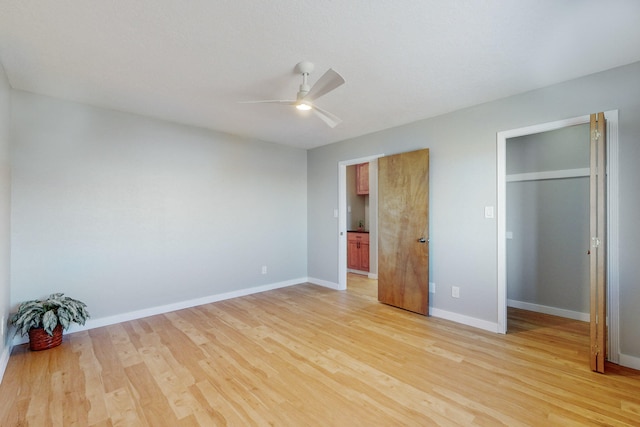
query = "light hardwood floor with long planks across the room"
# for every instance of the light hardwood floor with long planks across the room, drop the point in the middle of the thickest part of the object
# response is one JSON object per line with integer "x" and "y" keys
{"x": 311, "y": 356}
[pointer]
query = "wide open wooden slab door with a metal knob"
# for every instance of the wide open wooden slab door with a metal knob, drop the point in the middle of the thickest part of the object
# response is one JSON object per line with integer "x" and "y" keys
{"x": 403, "y": 230}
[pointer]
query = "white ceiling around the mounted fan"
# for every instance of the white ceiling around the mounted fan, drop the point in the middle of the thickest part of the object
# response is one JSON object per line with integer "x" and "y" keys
{"x": 403, "y": 60}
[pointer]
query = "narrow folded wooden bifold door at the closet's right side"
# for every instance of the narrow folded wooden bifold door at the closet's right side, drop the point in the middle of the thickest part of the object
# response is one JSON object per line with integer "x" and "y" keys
{"x": 597, "y": 253}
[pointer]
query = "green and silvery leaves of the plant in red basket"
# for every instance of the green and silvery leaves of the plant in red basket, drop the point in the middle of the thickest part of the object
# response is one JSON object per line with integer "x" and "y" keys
{"x": 48, "y": 313}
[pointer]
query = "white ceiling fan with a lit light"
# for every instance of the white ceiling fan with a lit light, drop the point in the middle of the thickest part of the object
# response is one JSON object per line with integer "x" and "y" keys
{"x": 305, "y": 99}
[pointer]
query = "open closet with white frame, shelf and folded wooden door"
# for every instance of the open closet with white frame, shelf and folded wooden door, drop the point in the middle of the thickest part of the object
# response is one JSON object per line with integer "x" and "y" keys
{"x": 548, "y": 180}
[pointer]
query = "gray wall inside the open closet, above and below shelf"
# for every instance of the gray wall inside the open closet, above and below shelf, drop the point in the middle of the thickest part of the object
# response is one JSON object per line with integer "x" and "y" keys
{"x": 547, "y": 262}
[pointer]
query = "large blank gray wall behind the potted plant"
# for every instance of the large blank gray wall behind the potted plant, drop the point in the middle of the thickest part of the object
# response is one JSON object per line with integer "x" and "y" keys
{"x": 127, "y": 213}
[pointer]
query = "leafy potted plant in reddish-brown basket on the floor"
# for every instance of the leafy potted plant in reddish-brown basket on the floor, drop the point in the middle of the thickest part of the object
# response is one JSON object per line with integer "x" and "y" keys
{"x": 45, "y": 319}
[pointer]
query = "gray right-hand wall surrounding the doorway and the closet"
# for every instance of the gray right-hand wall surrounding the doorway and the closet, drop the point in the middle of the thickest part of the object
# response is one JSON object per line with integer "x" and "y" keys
{"x": 463, "y": 180}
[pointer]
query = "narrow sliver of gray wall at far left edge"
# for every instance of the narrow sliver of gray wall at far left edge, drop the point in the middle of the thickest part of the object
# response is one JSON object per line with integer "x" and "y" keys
{"x": 5, "y": 213}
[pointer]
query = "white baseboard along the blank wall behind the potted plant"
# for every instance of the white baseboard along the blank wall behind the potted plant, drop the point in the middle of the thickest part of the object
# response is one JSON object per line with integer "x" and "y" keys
{"x": 152, "y": 311}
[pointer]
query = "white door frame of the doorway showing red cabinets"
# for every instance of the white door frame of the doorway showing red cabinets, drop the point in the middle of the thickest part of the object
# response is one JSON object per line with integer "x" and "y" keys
{"x": 342, "y": 213}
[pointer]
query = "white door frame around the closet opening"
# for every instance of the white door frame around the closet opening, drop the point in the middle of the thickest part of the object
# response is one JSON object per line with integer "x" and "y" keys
{"x": 613, "y": 298}
